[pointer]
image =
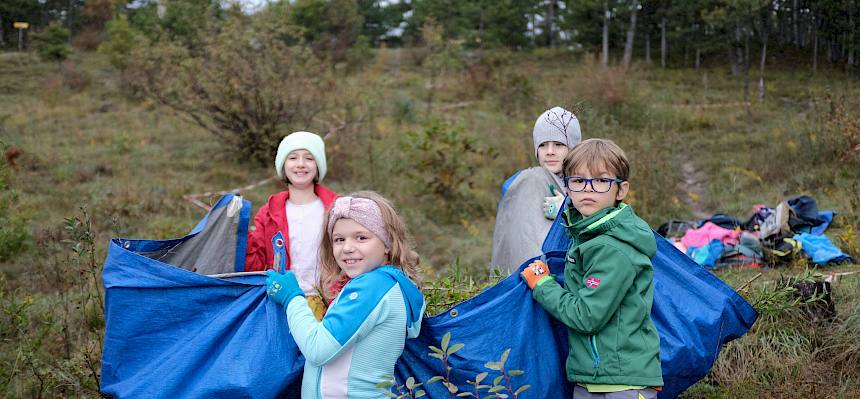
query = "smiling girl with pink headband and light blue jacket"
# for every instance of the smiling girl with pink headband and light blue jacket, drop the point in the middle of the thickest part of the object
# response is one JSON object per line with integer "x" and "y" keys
{"x": 365, "y": 243}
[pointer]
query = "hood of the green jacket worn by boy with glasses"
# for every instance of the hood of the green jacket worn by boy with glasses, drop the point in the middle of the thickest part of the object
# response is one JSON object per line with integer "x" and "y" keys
{"x": 618, "y": 222}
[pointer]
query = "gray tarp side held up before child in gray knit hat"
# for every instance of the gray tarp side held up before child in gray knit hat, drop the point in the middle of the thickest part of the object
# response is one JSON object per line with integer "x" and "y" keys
{"x": 520, "y": 224}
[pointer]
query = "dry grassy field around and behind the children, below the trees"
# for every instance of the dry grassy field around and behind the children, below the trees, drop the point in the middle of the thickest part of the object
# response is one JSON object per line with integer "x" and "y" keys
{"x": 99, "y": 162}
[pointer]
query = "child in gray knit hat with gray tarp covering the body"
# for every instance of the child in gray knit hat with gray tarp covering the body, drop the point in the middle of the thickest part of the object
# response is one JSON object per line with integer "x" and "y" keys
{"x": 522, "y": 225}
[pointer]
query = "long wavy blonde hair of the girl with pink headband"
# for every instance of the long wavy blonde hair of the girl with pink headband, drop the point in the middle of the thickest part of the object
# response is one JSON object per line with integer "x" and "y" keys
{"x": 400, "y": 254}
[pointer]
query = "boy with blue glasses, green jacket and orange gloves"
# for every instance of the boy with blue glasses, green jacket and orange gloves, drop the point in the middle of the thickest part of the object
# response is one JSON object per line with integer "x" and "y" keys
{"x": 608, "y": 281}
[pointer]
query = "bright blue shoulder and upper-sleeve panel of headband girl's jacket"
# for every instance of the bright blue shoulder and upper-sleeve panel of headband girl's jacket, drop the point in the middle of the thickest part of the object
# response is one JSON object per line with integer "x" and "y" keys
{"x": 355, "y": 303}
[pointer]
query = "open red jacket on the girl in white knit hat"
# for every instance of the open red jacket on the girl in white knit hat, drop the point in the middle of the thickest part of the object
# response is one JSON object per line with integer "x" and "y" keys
{"x": 268, "y": 221}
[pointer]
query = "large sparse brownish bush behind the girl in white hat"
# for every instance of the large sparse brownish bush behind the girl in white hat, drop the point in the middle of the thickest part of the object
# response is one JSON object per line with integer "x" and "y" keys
{"x": 246, "y": 87}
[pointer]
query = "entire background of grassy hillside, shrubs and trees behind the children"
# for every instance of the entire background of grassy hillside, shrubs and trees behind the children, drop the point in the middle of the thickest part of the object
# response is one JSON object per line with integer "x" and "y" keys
{"x": 112, "y": 113}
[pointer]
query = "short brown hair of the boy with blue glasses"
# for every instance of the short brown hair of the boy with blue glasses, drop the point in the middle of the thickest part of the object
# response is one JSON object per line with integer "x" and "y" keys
{"x": 593, "y": 152}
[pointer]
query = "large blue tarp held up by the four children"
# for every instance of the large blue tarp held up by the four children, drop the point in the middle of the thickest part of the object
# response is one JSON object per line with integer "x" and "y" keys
{"x": 174, "y": 333}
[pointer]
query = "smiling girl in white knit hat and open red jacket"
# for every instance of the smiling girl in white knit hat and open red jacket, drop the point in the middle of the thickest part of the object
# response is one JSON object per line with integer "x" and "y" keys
{"x": 288, "y": 228}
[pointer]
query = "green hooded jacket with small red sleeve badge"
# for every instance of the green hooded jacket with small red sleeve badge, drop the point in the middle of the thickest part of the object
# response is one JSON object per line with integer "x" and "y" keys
{"x": 606, "y": 299}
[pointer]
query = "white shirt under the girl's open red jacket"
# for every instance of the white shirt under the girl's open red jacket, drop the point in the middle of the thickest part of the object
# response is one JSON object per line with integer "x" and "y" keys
{"x": 305, "y": 225}
